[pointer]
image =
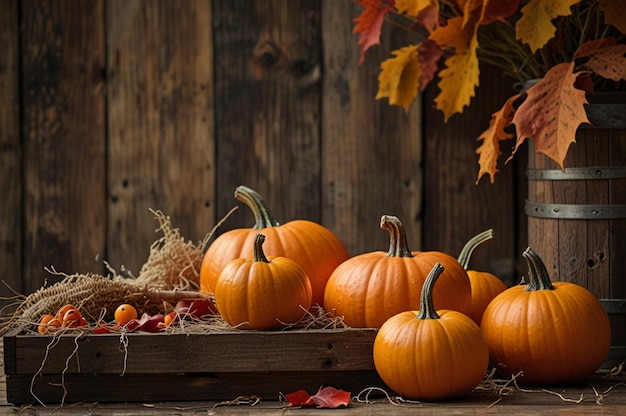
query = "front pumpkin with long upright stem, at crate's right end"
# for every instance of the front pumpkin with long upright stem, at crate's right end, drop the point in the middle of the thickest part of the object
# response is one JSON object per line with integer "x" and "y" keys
{"x": 430, "y": 354}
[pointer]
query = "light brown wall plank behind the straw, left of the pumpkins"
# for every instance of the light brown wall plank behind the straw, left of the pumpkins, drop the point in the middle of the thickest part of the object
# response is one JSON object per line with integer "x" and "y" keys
{"x": 160, "y": 124}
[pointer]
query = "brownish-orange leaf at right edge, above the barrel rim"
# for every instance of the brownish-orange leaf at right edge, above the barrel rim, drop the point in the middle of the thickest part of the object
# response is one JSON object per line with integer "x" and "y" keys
{"x": 605, "y": 58}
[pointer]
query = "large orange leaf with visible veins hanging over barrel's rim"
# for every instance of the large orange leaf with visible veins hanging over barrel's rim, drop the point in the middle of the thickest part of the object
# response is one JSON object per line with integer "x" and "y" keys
{"x": 551, "y": 113}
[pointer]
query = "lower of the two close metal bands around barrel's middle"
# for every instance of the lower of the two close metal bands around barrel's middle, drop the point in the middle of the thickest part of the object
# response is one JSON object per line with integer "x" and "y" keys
{"x": 574, "y": 211}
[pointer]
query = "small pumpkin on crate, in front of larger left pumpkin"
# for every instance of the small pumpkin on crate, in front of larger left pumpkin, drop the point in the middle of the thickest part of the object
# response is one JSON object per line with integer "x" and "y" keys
{"x": 262, "y": 294}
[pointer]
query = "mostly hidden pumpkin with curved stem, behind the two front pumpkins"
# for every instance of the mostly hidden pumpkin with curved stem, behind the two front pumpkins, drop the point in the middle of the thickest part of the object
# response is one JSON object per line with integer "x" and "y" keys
{"x": 485, "y": 285}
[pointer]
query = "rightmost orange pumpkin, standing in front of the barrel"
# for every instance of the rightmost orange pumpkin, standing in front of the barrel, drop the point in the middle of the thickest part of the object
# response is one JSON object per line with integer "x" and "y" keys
{"x": 553, "y": 333}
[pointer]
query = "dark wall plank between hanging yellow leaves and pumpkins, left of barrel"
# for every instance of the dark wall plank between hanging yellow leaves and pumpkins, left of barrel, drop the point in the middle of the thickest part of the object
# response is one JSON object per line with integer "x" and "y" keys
{"x": 456, "y": 207}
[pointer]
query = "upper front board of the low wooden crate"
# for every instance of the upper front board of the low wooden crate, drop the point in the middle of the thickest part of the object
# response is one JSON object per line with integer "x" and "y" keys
{"x": 246, "y": 351}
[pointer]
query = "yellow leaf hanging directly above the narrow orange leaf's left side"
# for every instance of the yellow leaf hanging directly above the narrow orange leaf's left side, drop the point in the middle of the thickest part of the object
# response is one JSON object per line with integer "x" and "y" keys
{"x": 459, "y": 80}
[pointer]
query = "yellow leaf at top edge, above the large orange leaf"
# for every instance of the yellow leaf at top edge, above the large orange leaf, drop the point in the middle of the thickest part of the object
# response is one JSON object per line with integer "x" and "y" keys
{"x": 535, "y": 27}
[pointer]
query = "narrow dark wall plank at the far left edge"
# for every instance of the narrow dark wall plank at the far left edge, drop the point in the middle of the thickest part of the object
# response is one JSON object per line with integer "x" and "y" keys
{"x": 10, "y": 149}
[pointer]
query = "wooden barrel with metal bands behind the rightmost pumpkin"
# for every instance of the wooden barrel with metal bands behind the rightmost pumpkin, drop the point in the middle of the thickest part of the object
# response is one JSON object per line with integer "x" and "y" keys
{"x": 577, "y": 217}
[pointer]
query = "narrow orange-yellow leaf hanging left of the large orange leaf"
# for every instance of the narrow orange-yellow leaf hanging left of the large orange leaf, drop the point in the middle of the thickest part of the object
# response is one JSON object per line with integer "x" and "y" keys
{"x": 489, "y": 151}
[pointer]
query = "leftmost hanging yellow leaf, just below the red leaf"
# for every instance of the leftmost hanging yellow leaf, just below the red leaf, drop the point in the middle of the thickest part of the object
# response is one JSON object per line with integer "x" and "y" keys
{"x": 399, "y": 77}
